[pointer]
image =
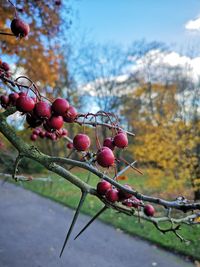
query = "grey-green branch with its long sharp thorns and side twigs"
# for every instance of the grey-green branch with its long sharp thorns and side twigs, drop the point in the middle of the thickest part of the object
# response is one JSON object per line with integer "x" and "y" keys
{"x": 55, "y": 164}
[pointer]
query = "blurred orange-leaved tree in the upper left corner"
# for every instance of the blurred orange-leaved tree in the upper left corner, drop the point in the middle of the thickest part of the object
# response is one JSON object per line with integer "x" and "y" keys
{"x": 40, "y": 50}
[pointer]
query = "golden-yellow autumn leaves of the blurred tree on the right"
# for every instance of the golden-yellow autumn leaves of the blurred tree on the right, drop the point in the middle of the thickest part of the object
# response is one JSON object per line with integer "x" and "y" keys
{"x": 167, "y": 140}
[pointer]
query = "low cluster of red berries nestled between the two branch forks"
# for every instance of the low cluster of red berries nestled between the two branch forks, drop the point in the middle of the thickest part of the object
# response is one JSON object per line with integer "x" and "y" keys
{"x": 112, "y": 195}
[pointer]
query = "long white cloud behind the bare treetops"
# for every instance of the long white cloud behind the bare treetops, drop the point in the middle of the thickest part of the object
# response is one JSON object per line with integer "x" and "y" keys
{"x": 153, "y": 65}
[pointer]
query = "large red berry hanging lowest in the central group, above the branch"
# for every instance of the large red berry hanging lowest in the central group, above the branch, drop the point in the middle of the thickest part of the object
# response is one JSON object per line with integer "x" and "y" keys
{"x": 105, "y": 157}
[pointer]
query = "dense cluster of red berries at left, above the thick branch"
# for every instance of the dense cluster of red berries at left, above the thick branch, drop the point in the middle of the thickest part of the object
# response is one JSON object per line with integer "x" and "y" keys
{"x": 41, "y": 113}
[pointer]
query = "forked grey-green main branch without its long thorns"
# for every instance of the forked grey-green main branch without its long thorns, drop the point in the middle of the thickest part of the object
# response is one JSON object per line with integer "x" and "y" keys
{"x": 51, "y": 163}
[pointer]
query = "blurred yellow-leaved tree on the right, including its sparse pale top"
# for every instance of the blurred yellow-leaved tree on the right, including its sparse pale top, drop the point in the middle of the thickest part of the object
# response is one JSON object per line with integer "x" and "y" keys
{"x": 164, "y": 106}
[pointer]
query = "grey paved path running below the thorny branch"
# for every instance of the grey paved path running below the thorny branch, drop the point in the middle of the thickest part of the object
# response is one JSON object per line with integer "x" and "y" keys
{"x": 32, "y": 230}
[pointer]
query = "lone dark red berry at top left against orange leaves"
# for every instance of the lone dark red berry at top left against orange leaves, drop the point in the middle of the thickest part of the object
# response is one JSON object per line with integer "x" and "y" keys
{"x": 19, "y": 28}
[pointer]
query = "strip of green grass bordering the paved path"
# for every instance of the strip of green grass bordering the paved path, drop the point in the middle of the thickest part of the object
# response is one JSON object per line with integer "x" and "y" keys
{"x": 63, "y": 192}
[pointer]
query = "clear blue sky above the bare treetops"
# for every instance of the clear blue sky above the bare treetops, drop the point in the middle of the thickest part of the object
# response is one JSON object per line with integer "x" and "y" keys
{"x": 124, "y": 21}
